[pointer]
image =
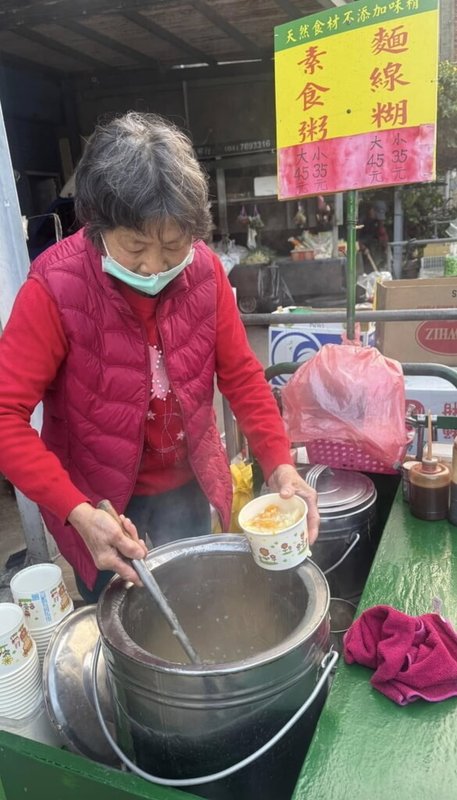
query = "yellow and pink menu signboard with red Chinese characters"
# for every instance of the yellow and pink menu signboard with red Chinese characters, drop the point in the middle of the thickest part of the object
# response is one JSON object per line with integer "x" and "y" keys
{"x": 356, "y": 96}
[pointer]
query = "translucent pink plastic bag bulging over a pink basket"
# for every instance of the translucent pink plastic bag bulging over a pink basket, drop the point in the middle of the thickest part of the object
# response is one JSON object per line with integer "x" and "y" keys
{"x": 353, "y": 399}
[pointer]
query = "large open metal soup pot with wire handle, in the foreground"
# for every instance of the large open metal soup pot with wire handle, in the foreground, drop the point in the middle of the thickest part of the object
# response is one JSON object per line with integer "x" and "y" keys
{"x": 262, "y": 636}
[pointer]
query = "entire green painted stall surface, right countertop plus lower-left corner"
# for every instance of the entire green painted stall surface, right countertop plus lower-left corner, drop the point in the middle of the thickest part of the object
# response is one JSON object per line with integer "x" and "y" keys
{"x": 364, "y": 748}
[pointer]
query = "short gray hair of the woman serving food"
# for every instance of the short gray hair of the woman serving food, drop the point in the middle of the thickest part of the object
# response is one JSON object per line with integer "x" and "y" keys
{"x": 140, "y": 170}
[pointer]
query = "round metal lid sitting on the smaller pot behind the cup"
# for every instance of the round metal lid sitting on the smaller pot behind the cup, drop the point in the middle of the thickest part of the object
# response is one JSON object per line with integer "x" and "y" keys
{"x": 341, "y": 490}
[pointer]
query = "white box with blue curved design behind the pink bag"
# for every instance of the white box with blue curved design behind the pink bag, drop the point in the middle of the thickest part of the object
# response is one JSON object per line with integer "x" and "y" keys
{"x": 300, "y": 342}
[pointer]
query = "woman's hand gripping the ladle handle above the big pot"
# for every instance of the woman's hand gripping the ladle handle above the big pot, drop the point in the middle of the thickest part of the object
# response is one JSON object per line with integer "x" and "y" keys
{"x": 108, "y": 544}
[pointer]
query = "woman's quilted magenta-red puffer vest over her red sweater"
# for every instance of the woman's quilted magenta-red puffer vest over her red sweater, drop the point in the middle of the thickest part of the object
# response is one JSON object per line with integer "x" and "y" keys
{"x": 94, "y": 412}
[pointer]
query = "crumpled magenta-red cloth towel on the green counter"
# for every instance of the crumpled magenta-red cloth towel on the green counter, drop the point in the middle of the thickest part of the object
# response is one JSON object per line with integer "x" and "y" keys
{"x": 414, "y": 657}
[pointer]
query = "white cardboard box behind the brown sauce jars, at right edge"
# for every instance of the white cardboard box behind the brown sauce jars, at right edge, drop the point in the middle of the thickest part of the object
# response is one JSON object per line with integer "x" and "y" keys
{"x": 437, "y": 395}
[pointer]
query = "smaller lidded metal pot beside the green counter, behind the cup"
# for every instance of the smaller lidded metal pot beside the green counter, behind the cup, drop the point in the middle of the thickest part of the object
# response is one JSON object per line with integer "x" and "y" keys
{"x": 345, "y": 547}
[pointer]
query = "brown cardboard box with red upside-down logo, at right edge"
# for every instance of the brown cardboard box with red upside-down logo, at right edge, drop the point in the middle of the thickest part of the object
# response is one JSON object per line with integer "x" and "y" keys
{"x": 426, "y": 341}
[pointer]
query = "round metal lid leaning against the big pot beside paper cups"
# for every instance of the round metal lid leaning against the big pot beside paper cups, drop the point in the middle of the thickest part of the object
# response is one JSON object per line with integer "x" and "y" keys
{"x": 68, "y": 688}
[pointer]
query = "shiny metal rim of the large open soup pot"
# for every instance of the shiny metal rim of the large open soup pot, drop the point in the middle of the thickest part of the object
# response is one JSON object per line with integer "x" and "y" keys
{"x": 114, "y": 636}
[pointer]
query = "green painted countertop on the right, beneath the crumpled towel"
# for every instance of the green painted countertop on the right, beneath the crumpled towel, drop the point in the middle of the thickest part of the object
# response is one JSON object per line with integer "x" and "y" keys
{"x": 365, "y": 747}
